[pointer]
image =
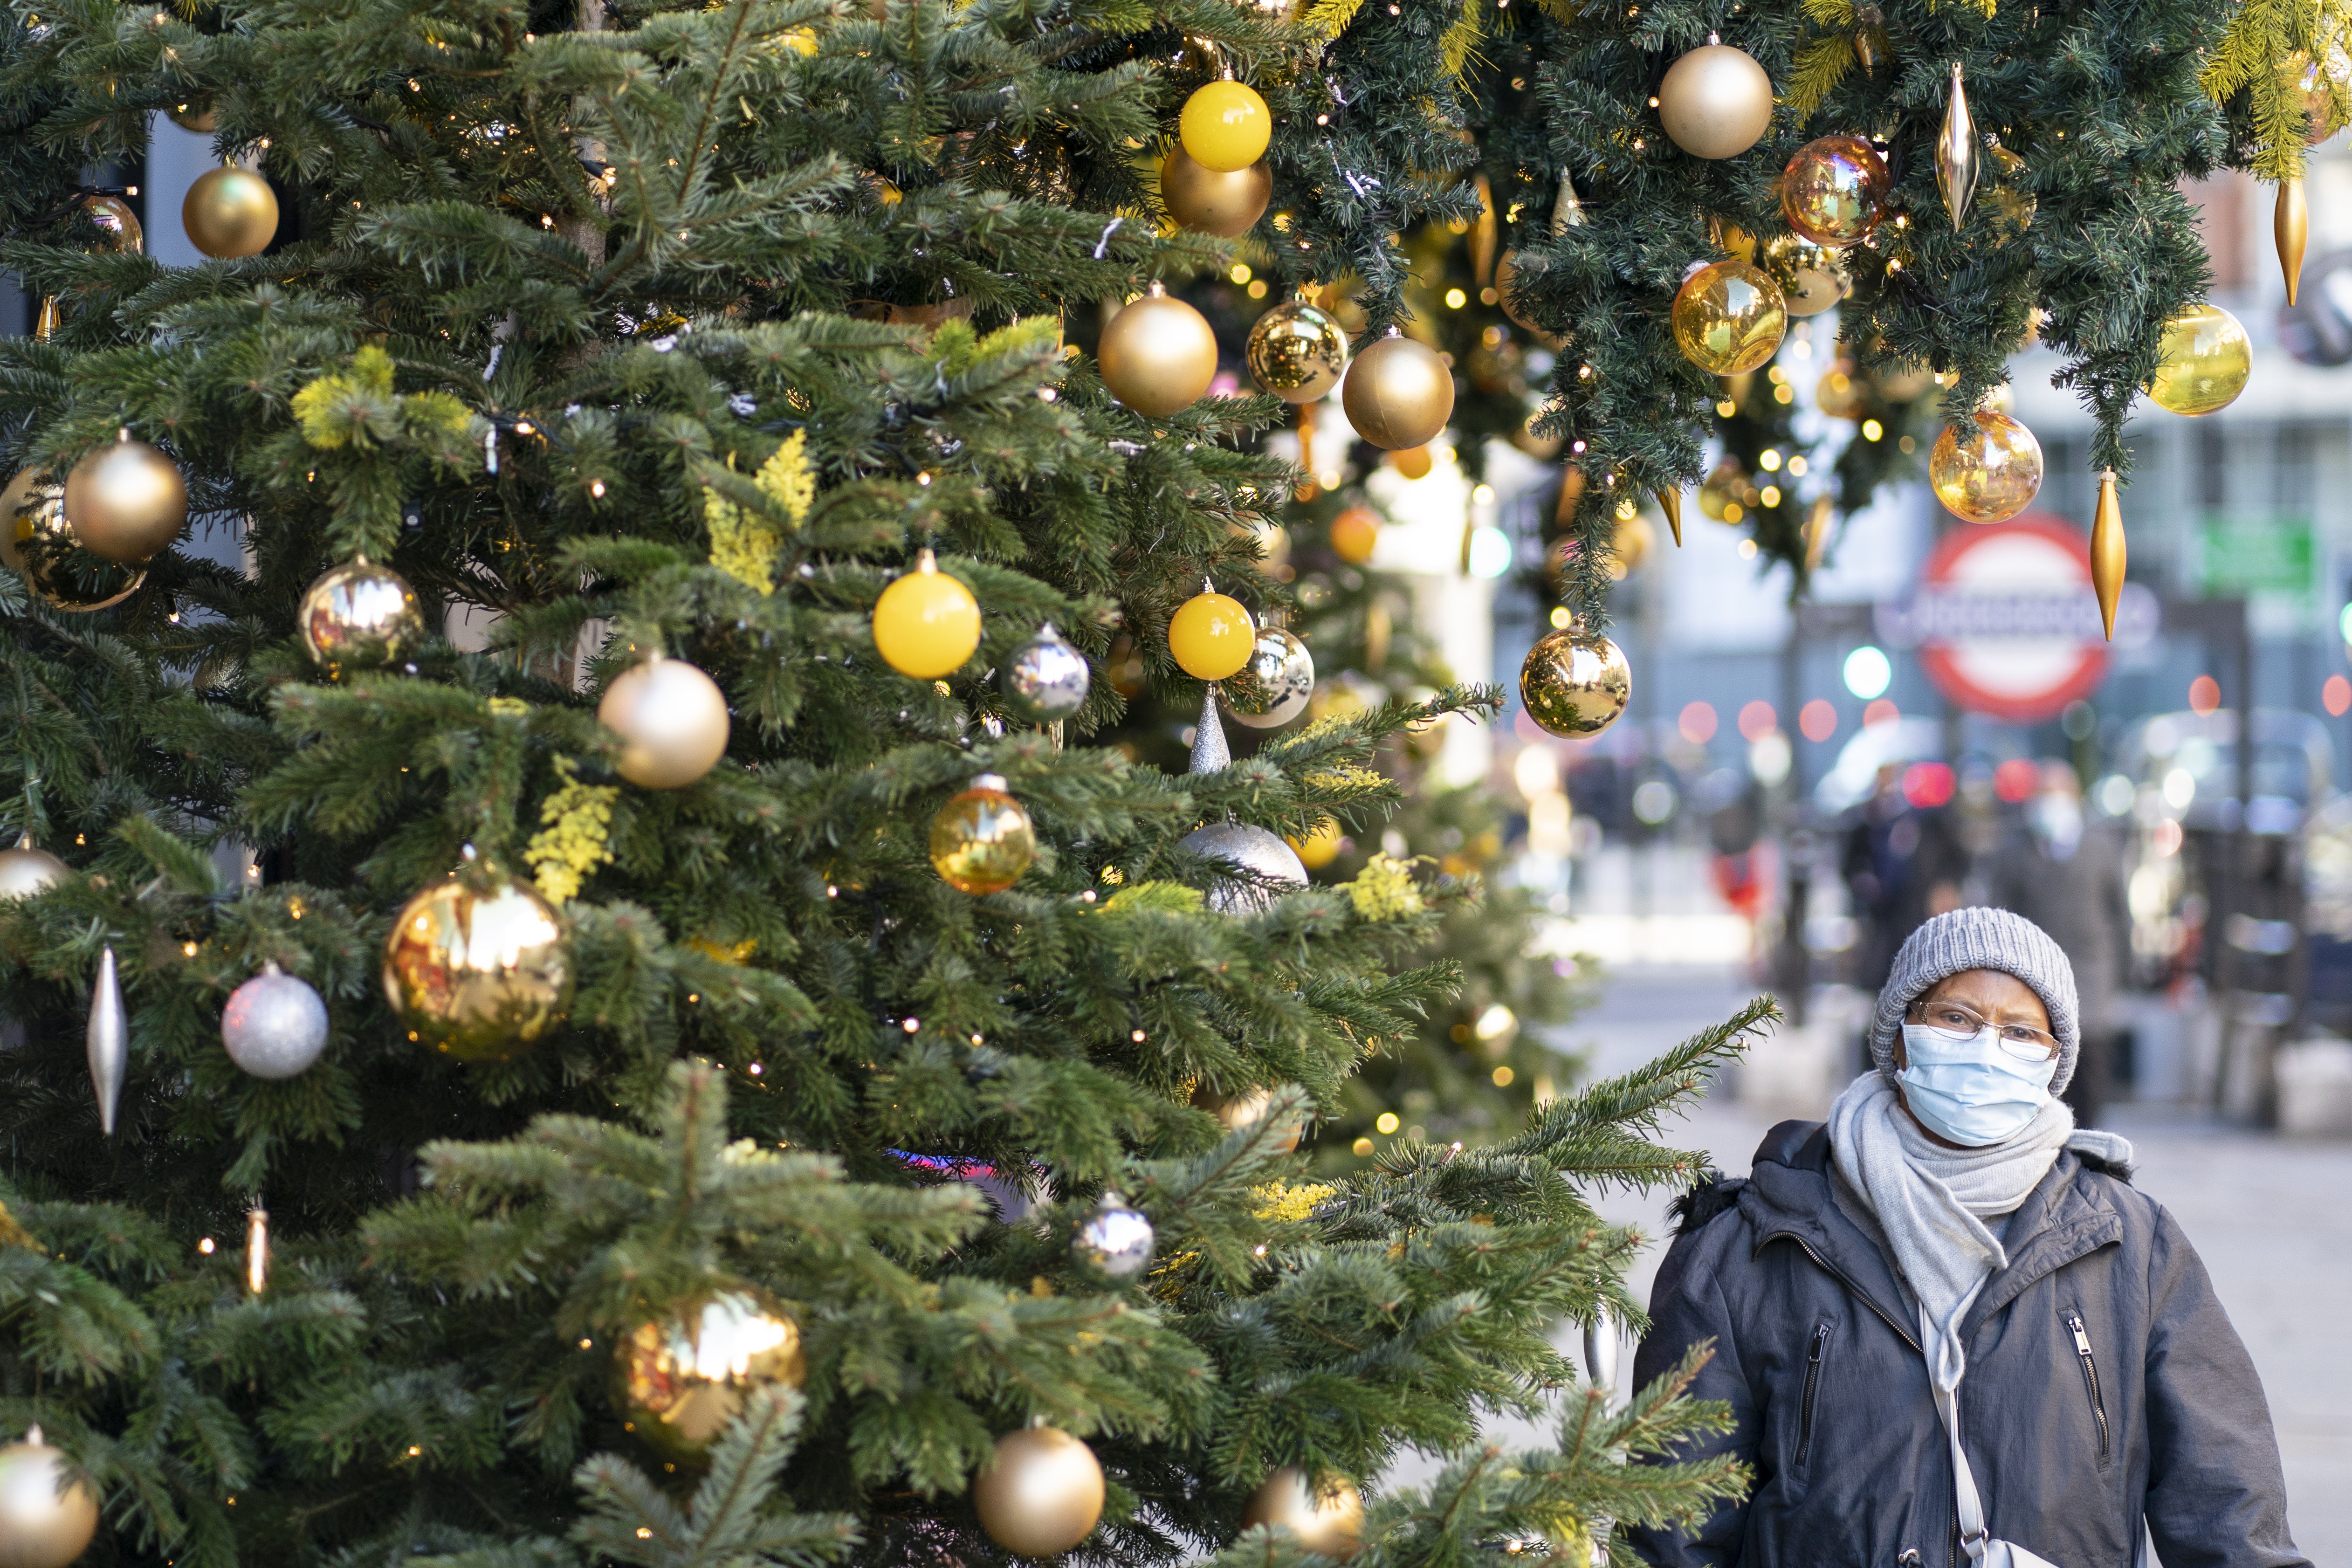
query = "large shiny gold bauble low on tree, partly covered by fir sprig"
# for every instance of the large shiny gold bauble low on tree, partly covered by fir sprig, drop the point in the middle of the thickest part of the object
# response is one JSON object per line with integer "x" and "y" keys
{"x": 681, "y": 1376}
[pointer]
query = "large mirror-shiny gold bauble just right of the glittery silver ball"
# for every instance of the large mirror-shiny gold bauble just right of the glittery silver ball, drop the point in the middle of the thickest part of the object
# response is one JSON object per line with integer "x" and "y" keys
{"x": 479, "y": 970}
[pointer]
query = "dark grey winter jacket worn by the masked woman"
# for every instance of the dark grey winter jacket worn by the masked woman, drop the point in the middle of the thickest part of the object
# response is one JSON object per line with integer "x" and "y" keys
{"x": 2104, "y": 1386}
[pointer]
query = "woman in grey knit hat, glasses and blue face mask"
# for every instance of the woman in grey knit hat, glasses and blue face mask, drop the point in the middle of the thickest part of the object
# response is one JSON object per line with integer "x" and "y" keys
{"x": 1949, "y": 1329}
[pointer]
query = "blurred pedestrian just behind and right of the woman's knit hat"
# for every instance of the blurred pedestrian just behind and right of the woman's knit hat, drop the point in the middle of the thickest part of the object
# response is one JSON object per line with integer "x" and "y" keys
{"x": 2066, "y": 873}
